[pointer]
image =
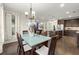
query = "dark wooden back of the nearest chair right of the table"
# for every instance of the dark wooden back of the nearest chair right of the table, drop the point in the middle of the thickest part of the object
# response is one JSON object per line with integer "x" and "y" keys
{"x": 52, "y": 45}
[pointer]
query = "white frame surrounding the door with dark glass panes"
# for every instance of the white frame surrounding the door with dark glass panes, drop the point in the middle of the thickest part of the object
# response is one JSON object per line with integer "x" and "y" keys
{"x": 13, "y": 38}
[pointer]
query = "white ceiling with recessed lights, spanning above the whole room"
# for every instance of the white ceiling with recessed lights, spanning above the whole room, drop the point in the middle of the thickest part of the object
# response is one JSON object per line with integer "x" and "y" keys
{"x": 46, "y": 10}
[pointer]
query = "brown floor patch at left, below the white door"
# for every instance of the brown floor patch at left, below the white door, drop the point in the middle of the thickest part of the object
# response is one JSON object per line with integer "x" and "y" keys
{"x": 10, "y": 49}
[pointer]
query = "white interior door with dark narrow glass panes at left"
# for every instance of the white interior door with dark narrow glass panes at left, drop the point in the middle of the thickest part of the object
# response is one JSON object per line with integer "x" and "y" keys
{"x": 10, "y": 21}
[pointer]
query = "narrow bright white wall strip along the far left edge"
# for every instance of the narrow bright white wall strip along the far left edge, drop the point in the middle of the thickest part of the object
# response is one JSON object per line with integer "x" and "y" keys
{"x": 1, "y": 27}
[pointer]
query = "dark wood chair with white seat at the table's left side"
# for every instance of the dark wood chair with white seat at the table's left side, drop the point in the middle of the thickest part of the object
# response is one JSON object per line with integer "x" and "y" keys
{"x": 22, "y": 49}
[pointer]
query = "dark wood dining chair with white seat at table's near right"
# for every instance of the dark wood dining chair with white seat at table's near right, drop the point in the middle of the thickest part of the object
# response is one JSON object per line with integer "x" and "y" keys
{"x": 48, "y": 50}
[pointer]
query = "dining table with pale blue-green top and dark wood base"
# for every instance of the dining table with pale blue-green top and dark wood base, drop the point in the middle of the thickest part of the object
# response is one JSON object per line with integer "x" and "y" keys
{"x": 35, "y": 40}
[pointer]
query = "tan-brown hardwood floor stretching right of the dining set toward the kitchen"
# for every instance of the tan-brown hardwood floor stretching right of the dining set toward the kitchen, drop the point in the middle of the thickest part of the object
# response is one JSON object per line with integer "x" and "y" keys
{"x": 67, "y": 46}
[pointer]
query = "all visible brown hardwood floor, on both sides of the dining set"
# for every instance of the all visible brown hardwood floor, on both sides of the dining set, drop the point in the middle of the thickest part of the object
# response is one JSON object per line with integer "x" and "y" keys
{"x": 64, "y": 47}
